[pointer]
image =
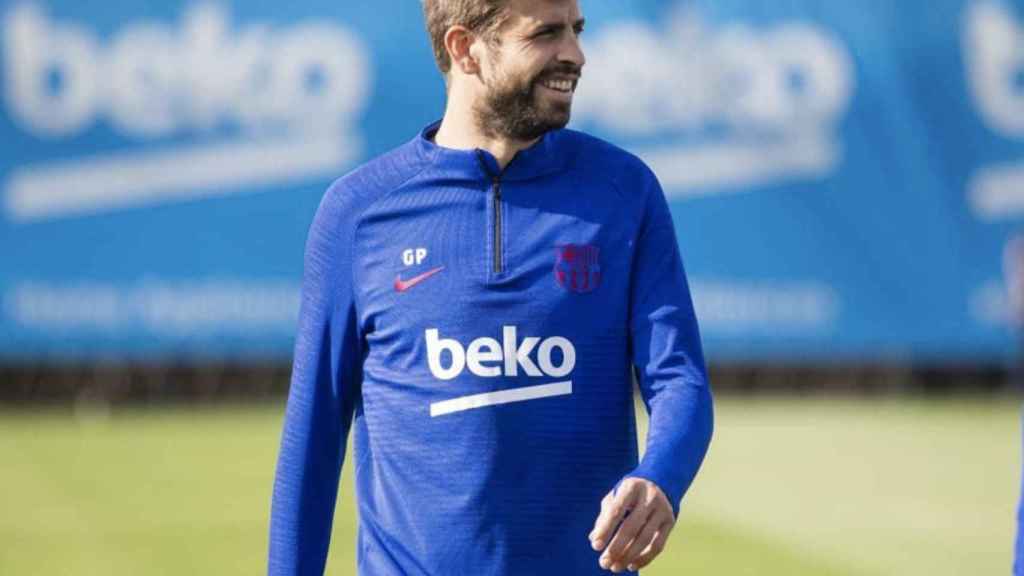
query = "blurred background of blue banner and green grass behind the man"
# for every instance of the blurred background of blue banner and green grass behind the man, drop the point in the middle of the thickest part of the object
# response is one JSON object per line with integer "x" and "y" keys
{"x": 847, "y": 181}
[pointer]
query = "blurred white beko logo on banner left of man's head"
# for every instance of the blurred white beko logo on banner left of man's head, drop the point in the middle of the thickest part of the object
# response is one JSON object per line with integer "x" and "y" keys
{"x": 290, "y": 99}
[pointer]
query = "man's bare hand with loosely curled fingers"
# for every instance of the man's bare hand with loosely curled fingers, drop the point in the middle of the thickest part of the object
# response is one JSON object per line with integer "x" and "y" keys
{"x": 647, "y": 519}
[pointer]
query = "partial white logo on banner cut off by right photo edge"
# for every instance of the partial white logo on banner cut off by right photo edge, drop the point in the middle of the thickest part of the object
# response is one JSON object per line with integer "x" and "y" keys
{"x": 994, "y": 52}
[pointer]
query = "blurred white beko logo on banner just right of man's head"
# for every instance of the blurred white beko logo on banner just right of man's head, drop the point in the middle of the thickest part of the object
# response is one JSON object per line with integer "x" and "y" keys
{"x": 717, "y": 109}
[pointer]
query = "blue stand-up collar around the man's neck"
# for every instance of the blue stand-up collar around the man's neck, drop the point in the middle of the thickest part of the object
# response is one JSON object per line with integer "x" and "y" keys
{"x": 543, "y": 158}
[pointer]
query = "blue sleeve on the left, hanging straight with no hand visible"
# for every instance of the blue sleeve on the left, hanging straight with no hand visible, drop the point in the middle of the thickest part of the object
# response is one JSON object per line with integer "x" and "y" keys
{"x": 326, "y": 381}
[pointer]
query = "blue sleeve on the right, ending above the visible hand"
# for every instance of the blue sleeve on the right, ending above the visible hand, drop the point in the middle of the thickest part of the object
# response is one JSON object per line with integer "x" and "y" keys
{"x": 668, "y": 356}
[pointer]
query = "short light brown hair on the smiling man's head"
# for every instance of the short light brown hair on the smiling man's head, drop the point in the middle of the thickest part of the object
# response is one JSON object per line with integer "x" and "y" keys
{"x": 480, "y": 17}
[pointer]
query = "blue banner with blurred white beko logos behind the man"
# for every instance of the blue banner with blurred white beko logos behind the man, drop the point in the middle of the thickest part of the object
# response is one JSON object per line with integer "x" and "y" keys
{"x": 845, "y": 178}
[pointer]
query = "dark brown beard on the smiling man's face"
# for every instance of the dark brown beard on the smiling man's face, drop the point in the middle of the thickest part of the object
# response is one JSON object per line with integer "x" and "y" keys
{"x": 510, "y": 108}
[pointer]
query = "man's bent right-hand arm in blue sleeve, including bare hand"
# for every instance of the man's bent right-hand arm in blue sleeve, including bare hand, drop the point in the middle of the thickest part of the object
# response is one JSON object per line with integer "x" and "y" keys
{"x": 637, "y": 517}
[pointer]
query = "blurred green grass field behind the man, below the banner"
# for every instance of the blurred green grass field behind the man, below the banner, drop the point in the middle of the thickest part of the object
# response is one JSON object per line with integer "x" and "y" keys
{"x": 792, "y": 487}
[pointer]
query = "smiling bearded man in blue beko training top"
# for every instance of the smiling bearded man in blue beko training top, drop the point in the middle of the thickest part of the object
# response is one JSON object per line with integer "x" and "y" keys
{"x": 476, "y": 304}
